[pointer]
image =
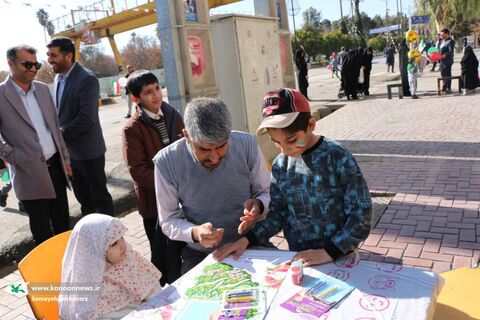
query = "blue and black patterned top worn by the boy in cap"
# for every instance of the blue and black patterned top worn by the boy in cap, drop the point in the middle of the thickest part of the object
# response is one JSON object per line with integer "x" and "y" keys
{"x": 320, "y": 201}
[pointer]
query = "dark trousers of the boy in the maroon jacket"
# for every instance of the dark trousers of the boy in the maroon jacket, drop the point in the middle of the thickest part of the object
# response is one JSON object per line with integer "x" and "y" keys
{"x": 166, "y": 256}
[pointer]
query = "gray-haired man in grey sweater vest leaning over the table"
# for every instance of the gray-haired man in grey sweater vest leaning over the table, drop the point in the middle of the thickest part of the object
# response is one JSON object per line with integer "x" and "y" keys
{"x": 211, "y": 185}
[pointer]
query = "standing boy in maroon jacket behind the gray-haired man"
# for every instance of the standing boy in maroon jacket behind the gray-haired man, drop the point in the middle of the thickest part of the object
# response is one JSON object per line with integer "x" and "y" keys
{"x": 154, "y": 126}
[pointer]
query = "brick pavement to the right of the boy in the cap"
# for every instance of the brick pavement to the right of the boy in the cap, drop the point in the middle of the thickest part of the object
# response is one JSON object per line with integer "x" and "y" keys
{"x": 426, "y": 152}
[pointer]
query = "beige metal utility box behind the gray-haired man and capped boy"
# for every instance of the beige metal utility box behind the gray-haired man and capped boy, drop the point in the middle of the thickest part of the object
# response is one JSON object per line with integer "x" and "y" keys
{"x": 248, "y": 64}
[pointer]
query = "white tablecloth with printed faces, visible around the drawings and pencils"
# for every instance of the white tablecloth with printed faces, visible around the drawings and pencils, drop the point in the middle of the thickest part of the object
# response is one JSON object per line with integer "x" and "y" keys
{"x": 382, "y": 291}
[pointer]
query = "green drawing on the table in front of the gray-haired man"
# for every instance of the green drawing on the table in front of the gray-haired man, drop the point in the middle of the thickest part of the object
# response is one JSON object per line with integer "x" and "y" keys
{"x": 216, "y": 279}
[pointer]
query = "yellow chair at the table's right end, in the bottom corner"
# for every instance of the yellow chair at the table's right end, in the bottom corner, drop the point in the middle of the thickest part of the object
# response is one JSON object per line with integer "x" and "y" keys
{"x": 458, "y": 299}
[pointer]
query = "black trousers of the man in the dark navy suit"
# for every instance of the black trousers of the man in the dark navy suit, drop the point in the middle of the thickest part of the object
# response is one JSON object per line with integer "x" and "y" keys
{"x": 90, "y": 186}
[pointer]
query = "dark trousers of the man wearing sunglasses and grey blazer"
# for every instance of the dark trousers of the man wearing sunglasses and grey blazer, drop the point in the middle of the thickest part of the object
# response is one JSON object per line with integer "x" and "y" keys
{"x": 45, "y": 214}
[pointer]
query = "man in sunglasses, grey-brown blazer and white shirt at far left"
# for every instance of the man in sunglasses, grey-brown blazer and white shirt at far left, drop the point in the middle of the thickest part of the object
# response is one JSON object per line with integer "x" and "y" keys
{"x": 31, "y": 142}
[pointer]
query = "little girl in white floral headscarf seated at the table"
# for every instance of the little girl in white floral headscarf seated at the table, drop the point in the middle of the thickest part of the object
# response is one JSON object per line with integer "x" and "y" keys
{"x": 117, "y": 277}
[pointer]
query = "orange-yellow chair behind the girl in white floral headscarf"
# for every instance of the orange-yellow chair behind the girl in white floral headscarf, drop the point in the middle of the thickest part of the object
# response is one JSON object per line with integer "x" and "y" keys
{"x": 44, "y": 265}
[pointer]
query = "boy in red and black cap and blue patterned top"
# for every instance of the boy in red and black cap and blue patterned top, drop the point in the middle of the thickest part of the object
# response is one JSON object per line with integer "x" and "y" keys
{"x": 319, "y": 197}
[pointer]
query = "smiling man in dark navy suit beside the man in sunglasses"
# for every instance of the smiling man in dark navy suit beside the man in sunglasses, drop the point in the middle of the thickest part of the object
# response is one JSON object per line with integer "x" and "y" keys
{"x": 76, "y": 94}
